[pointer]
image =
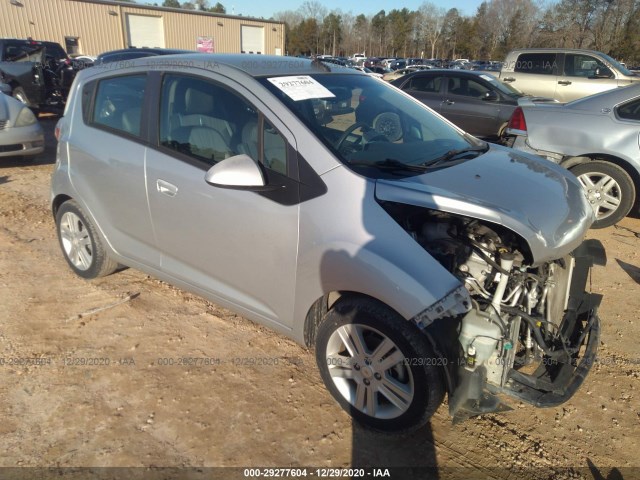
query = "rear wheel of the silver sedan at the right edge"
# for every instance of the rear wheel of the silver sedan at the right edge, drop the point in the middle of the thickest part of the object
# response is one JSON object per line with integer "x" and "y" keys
{"x": 609, "y": 188}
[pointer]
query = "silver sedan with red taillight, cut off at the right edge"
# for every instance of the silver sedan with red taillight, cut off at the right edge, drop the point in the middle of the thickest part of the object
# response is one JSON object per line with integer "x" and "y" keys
{"x": 596, "y": 138}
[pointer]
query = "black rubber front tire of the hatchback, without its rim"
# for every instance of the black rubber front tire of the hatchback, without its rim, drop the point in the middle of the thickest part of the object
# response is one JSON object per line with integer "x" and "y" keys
{"x": 428, "y": 385}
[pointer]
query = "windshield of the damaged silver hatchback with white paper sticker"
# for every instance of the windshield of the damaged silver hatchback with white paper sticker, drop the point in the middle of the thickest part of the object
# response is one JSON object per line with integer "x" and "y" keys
{"x": 370, "y": 125}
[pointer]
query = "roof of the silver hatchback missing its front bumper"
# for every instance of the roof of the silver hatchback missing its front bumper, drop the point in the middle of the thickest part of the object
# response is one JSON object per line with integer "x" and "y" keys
{"x": 252, "y": 64}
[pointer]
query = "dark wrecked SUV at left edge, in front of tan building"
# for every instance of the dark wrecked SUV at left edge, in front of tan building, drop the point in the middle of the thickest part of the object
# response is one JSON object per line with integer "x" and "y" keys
{"x": 39, "y": 73}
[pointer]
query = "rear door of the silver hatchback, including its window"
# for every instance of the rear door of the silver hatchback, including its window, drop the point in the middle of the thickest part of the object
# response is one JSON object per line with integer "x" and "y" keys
{"x": 107, "y": 155}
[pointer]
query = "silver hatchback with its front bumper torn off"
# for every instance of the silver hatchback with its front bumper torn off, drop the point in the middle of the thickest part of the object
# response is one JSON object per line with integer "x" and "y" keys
{"x": 321, "y": 202}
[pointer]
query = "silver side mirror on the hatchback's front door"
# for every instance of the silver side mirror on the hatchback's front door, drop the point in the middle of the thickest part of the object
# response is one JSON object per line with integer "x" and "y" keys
{"x": 239, "y": 172}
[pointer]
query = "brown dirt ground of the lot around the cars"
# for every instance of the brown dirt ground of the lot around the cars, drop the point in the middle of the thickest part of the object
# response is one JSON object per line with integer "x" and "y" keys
{"x": 238, "y": 410}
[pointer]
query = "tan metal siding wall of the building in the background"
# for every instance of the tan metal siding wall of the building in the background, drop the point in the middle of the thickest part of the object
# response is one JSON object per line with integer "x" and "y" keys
{"x": 99, "y": 31}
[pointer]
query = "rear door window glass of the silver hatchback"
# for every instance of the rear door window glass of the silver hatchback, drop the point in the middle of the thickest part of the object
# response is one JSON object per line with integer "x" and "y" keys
{"x": 118, "y": 103}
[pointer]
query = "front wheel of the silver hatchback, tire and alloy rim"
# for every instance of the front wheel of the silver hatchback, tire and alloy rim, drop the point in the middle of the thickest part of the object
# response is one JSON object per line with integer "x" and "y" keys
{"x": 379, "y": 367}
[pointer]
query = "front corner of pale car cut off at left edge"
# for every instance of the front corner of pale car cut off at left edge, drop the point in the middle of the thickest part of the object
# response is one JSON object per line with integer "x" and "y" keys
{"x": 20, "y": 132}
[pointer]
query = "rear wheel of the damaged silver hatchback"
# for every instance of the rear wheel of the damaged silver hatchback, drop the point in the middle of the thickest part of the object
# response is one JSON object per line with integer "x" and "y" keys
{"x": 81, "y": 245}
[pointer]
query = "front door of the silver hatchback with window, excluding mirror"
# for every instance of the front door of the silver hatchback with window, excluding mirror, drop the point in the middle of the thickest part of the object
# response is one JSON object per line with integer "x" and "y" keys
{"x": 238, "y": 247}
